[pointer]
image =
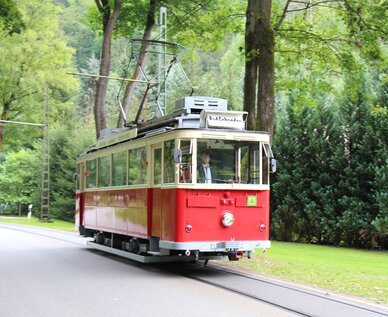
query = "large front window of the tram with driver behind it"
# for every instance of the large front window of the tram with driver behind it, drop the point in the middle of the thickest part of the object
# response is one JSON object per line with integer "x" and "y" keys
{"x": 228, "y": 161}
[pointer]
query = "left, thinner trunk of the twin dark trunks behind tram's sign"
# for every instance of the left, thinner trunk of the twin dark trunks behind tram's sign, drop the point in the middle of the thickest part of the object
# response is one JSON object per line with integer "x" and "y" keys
{"x": 251, "y": 62}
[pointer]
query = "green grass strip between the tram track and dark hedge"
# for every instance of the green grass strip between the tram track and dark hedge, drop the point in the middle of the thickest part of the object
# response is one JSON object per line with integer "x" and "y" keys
{"x": 360, "y": 273}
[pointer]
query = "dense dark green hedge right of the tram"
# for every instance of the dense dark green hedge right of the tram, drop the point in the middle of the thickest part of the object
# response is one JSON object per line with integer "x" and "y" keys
{"x": 331, "y": 184}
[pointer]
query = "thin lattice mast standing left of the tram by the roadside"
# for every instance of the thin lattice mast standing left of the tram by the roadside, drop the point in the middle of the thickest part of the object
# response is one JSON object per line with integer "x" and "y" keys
{"x": 45, "y": 186}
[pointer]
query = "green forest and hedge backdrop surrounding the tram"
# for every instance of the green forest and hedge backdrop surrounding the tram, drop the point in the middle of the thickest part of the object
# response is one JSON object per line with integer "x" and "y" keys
{"x": 330, "y": 125}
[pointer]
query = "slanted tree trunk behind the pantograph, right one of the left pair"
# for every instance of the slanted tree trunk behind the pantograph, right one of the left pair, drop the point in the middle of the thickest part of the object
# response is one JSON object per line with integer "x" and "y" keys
{"x": 131, "y": 85}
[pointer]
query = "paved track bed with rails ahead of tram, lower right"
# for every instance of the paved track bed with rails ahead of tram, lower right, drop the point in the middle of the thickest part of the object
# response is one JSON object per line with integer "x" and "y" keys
{"x": 297, "y": 300}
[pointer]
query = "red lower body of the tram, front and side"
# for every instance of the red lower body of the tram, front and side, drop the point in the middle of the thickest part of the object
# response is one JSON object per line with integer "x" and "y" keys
{"x": 178, "y": 215}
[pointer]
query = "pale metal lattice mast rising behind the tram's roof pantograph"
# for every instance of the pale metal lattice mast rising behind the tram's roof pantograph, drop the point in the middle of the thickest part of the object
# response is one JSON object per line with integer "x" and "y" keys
{"x": 162, "y": 61}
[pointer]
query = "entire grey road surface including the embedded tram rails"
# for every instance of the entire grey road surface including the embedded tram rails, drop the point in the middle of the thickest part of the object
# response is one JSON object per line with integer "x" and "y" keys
{"x": 51, "y": 273}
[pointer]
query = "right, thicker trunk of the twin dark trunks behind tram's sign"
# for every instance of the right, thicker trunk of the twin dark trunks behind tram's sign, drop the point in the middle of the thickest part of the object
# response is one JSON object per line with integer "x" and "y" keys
{"x": 266, "y": 64}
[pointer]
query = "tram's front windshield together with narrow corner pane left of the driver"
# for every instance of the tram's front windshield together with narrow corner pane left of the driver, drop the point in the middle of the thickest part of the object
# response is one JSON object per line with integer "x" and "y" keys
{"x": 225, "y": 161}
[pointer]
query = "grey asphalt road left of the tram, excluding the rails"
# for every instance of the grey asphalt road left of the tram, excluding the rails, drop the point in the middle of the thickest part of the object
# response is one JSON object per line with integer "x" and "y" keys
{"x": 43, "y": 276}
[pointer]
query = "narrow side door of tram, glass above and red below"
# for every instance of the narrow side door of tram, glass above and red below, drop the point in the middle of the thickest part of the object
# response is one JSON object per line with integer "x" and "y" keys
{"x": 156, "y": 192}
